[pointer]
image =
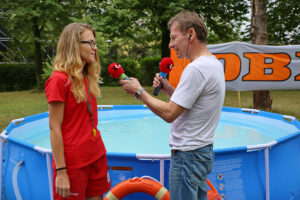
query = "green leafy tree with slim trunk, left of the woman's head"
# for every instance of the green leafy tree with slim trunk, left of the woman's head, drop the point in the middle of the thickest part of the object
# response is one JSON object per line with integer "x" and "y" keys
{"x": 37, "y": 24}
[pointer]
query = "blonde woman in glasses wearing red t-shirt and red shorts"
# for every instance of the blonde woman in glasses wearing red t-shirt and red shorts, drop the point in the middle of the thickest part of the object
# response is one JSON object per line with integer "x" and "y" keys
{"x": 79, "y": 155}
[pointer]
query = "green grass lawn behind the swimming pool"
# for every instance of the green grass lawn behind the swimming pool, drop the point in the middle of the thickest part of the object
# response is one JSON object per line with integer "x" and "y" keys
{"x": 15, "y": 105}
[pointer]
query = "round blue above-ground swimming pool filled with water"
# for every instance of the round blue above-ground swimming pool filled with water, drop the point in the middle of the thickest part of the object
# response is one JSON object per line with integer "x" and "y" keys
{"x": 256, "y": 153}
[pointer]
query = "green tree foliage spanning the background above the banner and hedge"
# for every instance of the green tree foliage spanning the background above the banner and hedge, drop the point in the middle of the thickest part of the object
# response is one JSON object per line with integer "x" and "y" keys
{"x": 136, "y": 28}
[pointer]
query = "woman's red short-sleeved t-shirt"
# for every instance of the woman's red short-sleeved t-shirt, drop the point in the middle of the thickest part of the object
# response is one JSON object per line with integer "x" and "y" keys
{"x": 80, "y": 146}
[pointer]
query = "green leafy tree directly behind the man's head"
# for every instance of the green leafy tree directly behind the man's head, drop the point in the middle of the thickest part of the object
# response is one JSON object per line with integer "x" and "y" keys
{"x": 127, "y": 18}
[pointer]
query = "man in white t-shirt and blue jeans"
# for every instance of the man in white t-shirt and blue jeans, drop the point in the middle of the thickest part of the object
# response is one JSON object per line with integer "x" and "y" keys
{"x": 194, "y": 108}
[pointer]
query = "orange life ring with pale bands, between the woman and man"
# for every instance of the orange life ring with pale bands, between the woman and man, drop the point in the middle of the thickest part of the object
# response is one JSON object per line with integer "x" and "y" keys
{"x": 144, "y": 185}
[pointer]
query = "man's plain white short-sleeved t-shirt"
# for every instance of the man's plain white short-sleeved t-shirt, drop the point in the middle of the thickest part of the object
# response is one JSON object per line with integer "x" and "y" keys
{"x": 201, "y": 91}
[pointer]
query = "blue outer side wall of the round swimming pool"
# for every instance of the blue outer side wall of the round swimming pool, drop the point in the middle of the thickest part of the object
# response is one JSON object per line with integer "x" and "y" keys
{"x": 238, "y": 173}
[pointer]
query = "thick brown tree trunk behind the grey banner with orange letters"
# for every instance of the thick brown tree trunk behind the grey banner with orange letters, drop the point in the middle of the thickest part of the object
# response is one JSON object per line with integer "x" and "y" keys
{"x": 259, "y": 35}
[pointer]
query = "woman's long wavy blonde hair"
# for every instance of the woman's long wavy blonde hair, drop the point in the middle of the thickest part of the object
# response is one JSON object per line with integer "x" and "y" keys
{"x": 68, "y": 60}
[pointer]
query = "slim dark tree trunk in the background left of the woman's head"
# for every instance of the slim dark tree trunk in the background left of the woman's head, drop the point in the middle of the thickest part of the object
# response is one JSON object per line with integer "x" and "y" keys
{"x": 37, "y": 53}
